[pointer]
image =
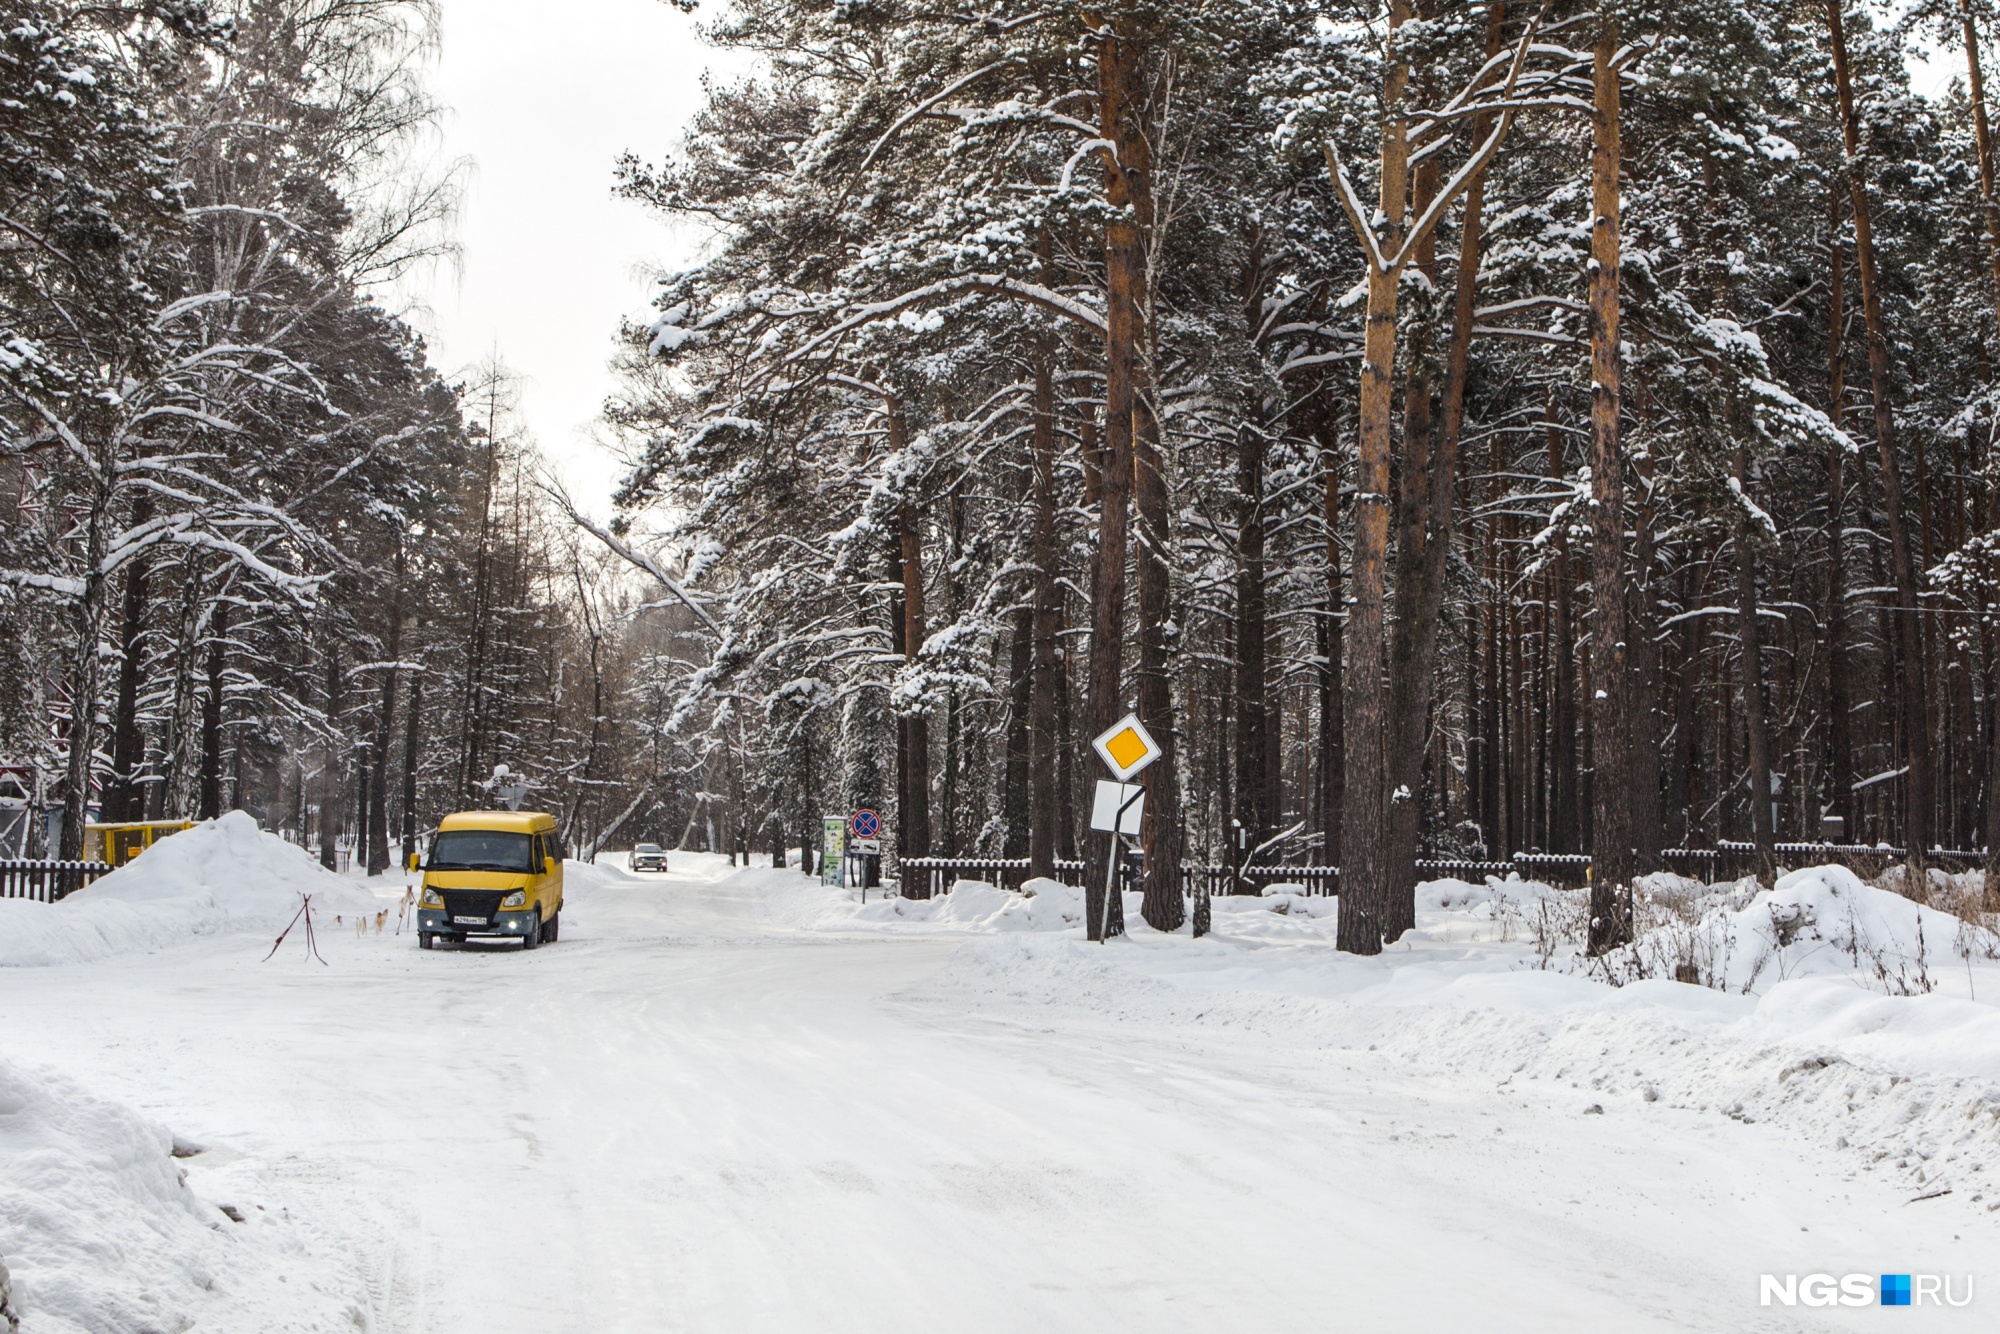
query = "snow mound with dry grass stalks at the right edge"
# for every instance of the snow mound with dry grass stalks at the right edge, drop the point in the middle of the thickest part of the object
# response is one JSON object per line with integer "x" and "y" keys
{"x": 1813, "y": 923}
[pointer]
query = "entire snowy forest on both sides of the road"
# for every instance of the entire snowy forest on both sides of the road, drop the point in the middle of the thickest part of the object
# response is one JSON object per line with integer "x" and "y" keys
{"x": 1455, "y": 429}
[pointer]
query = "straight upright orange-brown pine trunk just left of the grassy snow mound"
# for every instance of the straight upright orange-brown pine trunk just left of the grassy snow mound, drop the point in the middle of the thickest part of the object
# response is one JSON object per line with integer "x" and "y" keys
{"x": 1611, "y": 789}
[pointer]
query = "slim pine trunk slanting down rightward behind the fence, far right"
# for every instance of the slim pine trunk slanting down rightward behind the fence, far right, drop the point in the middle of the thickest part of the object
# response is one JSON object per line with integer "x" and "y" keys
{"x": 1915, "y": 685}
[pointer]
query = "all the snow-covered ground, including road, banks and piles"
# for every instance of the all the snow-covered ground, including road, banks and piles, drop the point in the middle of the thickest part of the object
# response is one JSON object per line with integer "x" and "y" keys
{"x": 737, "y": 1101}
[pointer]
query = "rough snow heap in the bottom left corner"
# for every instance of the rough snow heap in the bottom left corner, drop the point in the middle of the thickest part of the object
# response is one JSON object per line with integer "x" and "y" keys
{"x": 95, "y": 1221}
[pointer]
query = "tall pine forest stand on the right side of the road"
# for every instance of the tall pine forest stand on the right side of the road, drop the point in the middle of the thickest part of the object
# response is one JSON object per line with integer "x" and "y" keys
{"x": 1455, "y": 429}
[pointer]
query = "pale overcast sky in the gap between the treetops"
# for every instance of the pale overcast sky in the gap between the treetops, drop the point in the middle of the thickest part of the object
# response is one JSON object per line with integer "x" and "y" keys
{"x": 543, "y": 109}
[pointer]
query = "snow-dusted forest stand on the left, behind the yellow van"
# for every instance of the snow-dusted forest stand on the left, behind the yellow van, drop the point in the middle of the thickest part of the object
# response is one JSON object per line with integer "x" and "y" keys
{"x": 261, "y": 553}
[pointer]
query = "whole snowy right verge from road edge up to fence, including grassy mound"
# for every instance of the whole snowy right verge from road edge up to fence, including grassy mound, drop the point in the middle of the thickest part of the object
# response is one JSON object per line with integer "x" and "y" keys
{"x": 1847, "y": 1013}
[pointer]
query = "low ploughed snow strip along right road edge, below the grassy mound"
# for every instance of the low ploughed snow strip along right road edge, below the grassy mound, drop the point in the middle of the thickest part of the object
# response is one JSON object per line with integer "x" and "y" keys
{"x": 1909, "y": 1085}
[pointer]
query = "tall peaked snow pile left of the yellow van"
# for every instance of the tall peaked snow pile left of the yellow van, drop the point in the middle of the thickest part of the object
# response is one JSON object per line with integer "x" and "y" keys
{"x": 217, "y": 879}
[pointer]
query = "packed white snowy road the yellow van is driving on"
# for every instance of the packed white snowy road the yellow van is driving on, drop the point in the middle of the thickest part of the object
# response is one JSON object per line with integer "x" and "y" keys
{"x": 685, "y": 1117}
